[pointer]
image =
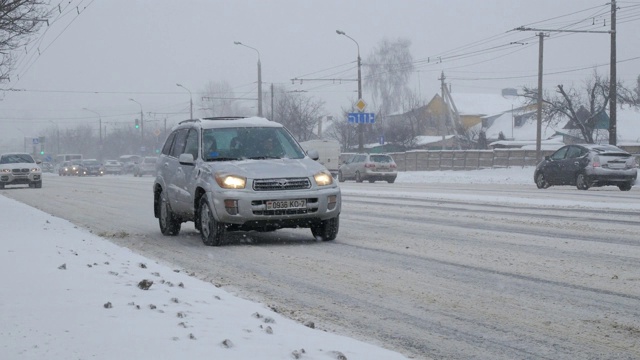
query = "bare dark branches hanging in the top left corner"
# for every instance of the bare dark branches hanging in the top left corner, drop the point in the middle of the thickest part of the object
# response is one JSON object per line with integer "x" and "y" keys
{"x": 19, "y": 21}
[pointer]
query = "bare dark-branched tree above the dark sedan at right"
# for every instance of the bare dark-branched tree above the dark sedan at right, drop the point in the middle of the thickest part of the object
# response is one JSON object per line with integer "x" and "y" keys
{"x": 582, "y": 107}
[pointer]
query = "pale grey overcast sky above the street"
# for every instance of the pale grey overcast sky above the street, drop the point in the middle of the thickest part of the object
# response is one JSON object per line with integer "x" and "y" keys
{"x": 98, "y": 54}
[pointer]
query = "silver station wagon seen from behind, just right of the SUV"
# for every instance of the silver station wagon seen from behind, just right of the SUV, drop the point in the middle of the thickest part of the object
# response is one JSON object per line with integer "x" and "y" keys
{"x": 370, "y": 167}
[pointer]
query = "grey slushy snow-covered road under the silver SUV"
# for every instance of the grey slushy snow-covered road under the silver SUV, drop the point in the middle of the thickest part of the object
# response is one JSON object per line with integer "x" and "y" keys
{"x": 478, "y": 269}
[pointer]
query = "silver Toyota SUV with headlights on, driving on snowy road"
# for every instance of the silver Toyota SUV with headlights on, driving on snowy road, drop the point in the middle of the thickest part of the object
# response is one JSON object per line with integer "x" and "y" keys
{"x": 229, "y": 174}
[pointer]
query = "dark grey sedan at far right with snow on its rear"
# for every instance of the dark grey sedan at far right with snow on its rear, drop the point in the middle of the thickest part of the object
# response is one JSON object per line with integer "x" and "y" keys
{"x": 587, "y": 165}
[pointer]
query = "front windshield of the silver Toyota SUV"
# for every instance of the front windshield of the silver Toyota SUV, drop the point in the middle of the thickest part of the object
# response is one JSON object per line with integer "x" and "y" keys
{"x": 249, "y": 143}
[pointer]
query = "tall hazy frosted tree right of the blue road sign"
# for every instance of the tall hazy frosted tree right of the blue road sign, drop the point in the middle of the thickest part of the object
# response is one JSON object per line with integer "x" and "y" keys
{"x": 388, "y": 70}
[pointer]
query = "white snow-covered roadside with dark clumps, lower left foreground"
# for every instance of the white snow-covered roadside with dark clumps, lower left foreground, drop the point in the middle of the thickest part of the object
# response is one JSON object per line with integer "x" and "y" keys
{"x": 68, "y": 294}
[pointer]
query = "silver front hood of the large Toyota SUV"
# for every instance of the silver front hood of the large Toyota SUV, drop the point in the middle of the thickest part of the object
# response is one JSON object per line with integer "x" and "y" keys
{"x": 271, "y": 168}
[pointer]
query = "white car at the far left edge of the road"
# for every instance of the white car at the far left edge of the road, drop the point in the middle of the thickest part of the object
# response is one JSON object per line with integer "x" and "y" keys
{"x": 19, "y": 169}
